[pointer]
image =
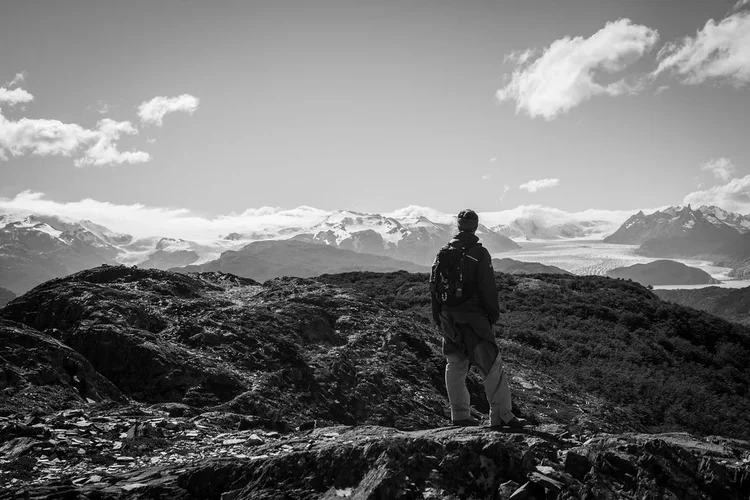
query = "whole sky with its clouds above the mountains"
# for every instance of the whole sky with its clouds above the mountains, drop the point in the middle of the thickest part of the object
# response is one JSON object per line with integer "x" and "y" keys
{"x": 186, "y": 108}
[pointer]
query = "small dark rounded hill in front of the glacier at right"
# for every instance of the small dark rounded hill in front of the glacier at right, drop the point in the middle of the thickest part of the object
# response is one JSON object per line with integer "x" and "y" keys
{"x": 663, "y": 272}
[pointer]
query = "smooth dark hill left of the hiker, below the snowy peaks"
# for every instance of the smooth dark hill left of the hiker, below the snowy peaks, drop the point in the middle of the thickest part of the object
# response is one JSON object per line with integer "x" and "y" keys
{"x": 263, "y": 260}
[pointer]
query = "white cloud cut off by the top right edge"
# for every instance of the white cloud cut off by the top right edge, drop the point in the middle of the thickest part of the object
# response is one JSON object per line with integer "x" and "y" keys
{"x": 719, "y": 52}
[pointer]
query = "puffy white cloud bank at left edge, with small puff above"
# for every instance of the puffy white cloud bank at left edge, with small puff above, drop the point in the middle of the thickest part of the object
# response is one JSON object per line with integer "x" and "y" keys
{"x": 45, "y": 137}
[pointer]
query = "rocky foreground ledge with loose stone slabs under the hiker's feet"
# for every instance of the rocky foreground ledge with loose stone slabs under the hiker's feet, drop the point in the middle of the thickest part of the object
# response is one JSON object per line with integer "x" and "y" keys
{"x": 153, "y": 455}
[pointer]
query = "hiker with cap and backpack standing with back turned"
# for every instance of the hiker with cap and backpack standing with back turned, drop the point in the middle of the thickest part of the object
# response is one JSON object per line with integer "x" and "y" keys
{"x": 465, "y": 307}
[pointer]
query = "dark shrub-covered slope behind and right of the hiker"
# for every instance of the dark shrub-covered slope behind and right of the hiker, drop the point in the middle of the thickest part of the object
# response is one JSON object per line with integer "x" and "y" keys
{"x": 674, "y": 367}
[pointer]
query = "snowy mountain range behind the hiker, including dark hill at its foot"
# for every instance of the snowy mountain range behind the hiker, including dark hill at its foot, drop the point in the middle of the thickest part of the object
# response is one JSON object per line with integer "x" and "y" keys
{"x": 35, "y": 248}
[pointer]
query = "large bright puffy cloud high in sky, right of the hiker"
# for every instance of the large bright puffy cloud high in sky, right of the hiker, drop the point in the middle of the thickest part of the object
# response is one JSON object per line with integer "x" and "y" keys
{"x": 563, "y": 76}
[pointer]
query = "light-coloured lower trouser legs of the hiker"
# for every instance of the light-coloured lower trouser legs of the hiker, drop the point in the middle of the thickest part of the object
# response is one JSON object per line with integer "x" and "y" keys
{"x": 495, "y": 387}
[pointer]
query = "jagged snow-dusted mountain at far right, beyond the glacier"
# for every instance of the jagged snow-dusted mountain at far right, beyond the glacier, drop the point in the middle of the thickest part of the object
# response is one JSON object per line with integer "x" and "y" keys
{"x": 680, "y": 231}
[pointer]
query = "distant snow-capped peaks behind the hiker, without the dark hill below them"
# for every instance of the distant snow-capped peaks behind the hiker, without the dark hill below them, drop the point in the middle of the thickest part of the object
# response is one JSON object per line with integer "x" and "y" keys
{"x": 36, "y": 248}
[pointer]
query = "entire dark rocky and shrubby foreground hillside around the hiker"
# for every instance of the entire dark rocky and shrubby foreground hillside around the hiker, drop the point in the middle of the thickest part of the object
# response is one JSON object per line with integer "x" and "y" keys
{"x": 333, "y": 388}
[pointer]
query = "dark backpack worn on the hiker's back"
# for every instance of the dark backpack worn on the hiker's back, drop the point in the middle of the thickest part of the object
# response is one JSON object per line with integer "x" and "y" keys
{"x": 453, "y": 275}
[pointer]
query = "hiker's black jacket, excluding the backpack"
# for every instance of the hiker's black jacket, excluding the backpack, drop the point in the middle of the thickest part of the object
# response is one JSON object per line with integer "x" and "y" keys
{"x": 485, "y": 299}
